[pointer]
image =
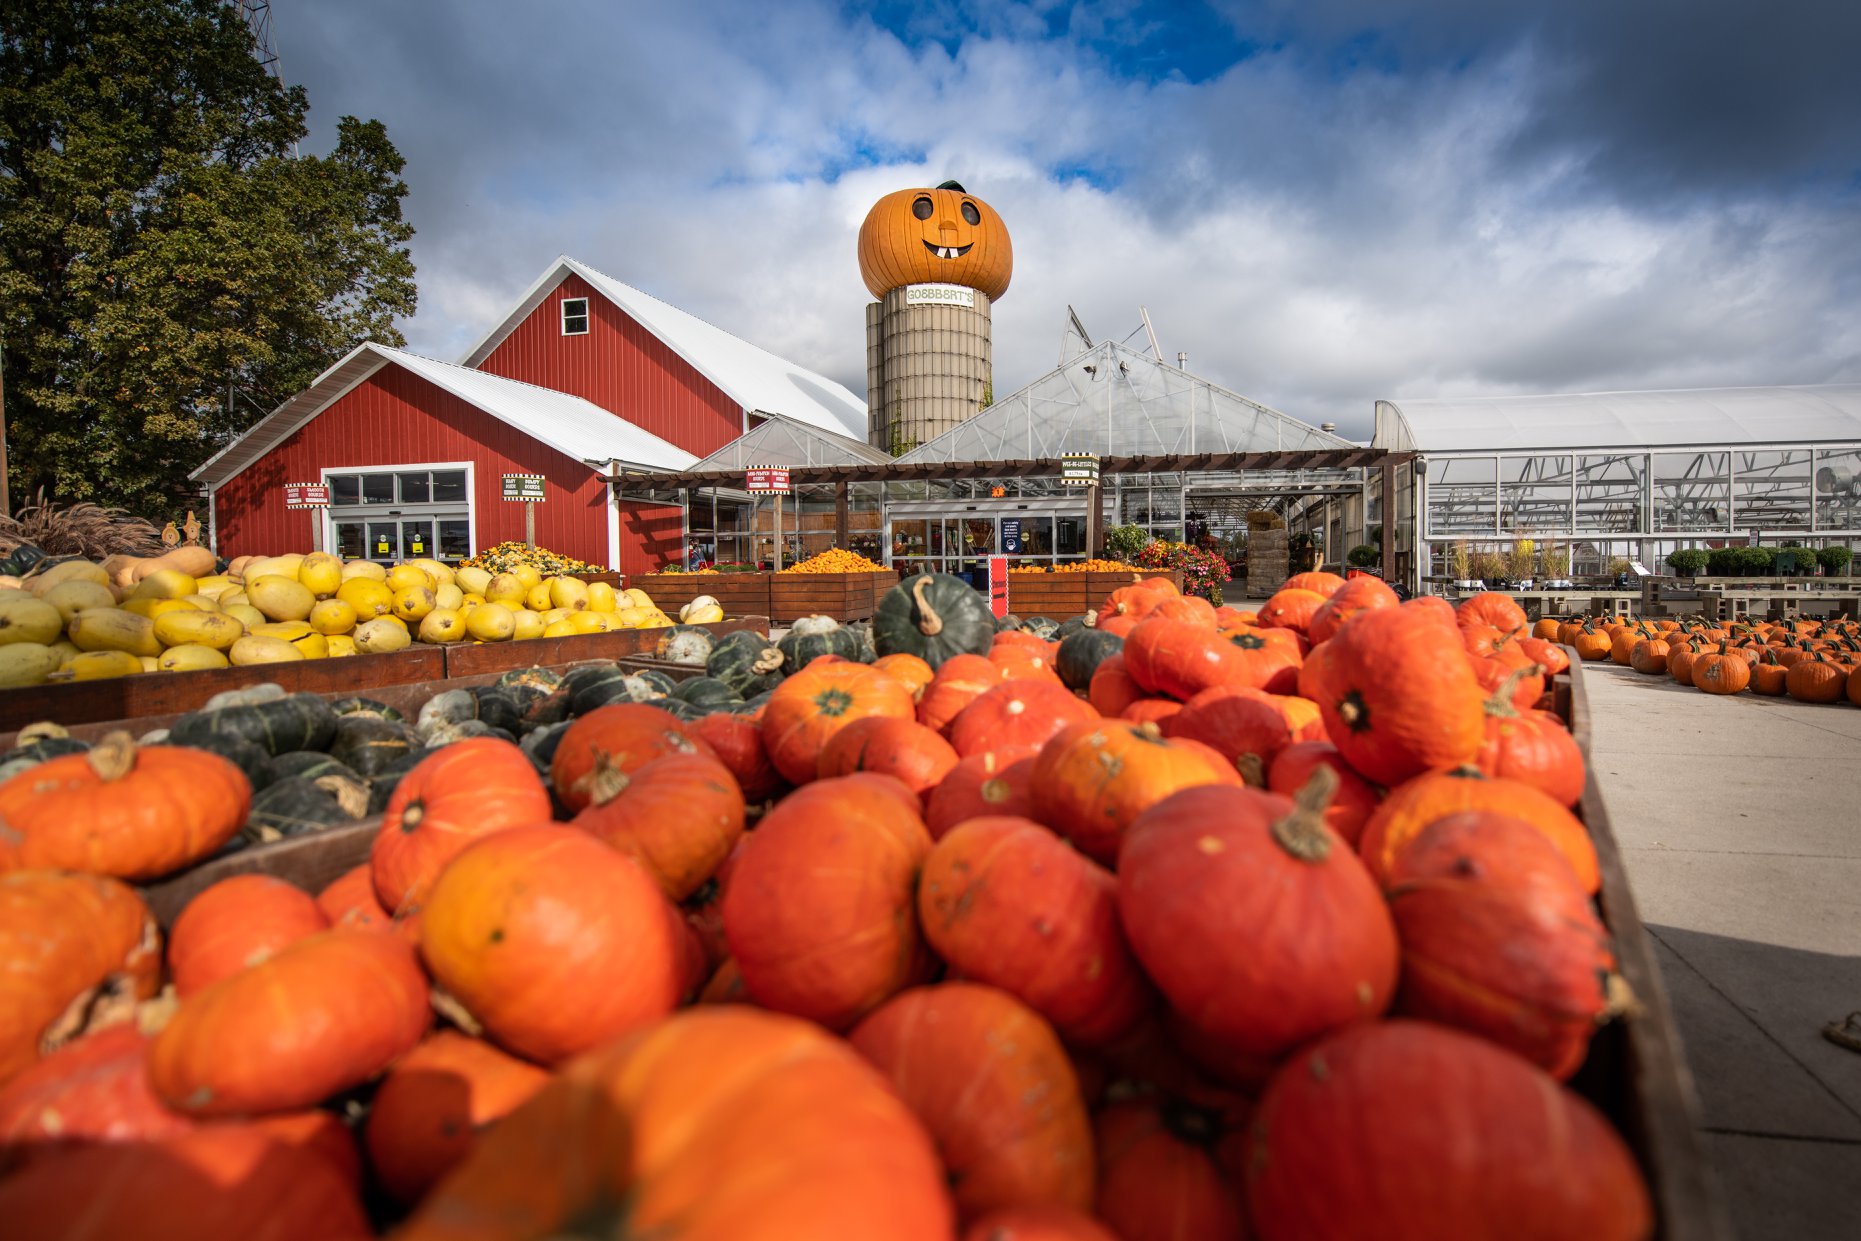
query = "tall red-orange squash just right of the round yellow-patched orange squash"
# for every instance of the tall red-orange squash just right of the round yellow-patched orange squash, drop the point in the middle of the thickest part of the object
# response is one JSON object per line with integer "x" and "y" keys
{"x": 822, "y": 901}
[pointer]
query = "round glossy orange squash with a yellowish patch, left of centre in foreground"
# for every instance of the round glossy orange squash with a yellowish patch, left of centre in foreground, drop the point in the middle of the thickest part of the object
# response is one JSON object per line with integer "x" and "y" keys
{"x": 552, "y": 913}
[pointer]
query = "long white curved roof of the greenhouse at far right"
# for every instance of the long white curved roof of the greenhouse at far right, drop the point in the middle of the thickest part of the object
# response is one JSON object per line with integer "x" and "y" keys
{"x": 1683, "y": 418}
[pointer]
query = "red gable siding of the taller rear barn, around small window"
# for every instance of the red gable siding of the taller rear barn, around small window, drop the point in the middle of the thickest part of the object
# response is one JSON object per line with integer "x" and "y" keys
{"x": 621, "y": 367}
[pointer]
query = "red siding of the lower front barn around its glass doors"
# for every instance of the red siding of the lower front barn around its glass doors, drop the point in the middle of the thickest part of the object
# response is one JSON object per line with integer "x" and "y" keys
{"x": 395, "y": 418}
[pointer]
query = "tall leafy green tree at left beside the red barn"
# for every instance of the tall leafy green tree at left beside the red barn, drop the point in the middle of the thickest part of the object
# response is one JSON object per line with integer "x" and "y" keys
{"x": 170, "y": 271}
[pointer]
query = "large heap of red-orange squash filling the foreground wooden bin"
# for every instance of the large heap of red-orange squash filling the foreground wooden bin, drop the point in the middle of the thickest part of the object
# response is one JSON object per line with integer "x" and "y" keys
{"x": 1192, "y": 926}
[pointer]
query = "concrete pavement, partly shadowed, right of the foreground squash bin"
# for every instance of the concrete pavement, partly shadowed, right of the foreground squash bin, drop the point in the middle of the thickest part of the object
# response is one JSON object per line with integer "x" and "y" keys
{"x": 1741, "y": 827}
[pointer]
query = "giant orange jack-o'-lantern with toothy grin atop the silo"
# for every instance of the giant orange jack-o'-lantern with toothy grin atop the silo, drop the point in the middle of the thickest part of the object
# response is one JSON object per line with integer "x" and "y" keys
{"x": 935, "y": 237}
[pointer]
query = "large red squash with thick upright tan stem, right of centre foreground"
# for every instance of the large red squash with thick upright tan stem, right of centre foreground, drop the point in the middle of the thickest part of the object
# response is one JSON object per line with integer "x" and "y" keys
{"x": 1253, "y": 918}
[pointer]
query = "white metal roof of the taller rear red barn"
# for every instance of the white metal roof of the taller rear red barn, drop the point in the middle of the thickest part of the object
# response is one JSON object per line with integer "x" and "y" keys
{"x": 755, "y": 379}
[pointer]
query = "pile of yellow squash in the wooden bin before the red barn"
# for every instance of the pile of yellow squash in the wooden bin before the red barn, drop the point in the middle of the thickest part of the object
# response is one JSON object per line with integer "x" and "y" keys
{"x": 77, "y": 622}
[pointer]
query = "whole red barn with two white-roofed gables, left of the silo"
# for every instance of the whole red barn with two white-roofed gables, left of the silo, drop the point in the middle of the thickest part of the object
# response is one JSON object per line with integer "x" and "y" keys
{"x": 583, "y": 377}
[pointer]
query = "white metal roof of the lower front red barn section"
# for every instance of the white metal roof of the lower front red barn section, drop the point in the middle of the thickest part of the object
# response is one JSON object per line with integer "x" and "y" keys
{"x": 570, "y": 425}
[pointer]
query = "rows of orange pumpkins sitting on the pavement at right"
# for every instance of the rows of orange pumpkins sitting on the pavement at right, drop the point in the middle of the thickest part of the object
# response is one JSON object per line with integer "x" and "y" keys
{"x": 1808, "y": 660}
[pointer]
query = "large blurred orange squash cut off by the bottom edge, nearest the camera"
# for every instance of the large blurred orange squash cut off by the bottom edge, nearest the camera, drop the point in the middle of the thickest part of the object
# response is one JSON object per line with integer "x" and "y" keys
{"x": 717, "y": 1123}
